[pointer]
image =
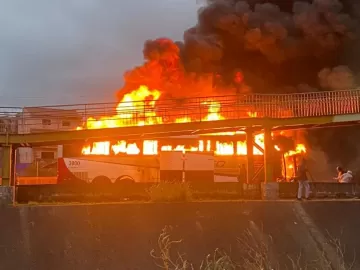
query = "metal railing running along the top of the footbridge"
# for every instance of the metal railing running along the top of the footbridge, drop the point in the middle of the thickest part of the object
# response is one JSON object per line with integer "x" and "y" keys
{"x": 69, "y": 117}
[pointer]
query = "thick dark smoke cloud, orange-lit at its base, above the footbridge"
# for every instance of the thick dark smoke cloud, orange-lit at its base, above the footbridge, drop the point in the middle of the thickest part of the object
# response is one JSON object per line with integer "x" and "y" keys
{"x": 256, "y": 46}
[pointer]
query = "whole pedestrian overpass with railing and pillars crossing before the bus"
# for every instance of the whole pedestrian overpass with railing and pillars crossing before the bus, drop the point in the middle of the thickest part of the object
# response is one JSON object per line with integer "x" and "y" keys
{"x": 164, "y": 118}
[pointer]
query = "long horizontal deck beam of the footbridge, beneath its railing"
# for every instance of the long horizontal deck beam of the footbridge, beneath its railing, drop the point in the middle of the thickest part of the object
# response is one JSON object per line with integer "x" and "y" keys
{"x": 166, "y": 130}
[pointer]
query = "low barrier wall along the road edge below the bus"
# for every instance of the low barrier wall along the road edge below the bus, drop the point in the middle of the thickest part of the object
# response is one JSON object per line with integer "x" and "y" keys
{"x": 83, "y": 192}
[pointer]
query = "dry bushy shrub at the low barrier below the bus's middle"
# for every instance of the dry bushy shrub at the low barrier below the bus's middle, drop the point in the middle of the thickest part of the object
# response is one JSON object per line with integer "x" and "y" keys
{"x": 170, "y": 192}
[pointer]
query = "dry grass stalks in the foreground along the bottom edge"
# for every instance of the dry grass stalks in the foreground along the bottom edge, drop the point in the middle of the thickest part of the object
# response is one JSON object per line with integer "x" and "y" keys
{"x": 254, "y": 255}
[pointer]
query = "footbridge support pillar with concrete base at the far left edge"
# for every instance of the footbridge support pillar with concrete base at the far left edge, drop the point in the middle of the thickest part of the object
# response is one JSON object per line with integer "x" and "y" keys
{"x": 8, "y": 169}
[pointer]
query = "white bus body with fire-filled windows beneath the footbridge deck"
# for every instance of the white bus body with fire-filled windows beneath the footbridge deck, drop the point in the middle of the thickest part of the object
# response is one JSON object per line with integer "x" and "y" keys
{"x": 215, "y": 158}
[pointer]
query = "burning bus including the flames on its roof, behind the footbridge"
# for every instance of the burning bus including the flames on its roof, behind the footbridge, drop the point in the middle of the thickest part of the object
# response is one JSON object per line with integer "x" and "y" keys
{"x": 216, "y": 157}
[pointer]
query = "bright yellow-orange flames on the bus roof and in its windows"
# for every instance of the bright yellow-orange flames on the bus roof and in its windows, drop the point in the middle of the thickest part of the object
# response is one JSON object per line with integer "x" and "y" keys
{"x": 138, "y": 108}
